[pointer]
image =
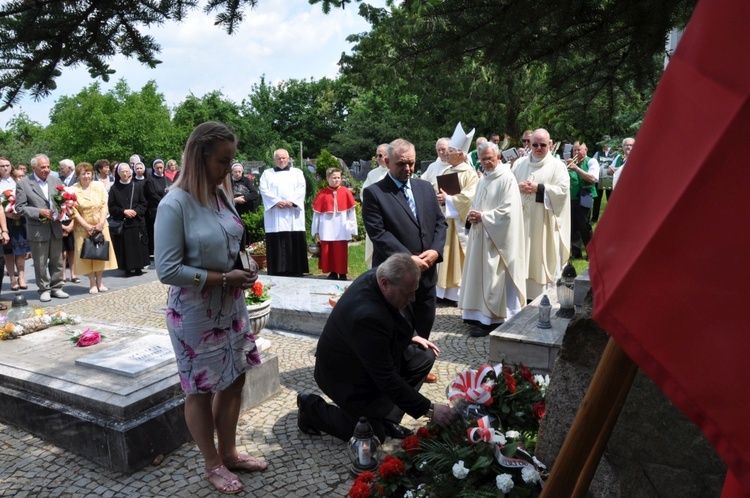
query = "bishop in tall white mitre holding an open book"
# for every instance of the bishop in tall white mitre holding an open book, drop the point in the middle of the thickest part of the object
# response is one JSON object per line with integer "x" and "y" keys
{"x": 456, "y": 208}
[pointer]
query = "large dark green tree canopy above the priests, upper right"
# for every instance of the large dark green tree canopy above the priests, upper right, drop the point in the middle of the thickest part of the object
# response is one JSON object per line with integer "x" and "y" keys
{"x": 572, "y": 66}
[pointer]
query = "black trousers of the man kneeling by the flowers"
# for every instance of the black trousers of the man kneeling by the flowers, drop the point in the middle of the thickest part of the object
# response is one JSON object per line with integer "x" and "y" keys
{"x": 415, "y": 366}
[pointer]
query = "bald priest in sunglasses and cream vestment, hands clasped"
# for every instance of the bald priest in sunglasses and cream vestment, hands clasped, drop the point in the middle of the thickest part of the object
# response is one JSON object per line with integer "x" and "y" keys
{"x": 544, "y": 184}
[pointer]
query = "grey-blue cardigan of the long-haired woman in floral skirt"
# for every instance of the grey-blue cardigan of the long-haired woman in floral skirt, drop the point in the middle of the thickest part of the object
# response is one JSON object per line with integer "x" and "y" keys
{"x": 188, "y": 241}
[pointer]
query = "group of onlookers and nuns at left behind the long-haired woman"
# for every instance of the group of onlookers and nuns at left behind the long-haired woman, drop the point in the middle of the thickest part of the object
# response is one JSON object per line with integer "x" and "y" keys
{"x": 43, "y": 227}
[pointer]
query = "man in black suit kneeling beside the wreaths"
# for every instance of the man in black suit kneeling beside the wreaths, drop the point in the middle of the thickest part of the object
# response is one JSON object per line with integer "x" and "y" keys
{"x": 370, "y": 361}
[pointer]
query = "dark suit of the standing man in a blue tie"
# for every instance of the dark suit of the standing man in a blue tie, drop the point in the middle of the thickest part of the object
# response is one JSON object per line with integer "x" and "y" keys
{"x": 393, "y": 229}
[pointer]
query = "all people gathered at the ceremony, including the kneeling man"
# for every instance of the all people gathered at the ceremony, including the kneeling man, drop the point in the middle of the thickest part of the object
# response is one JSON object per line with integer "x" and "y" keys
{"x": 475, "y": 231}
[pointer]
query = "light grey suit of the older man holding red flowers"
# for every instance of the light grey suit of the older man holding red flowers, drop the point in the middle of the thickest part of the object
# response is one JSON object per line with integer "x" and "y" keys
{"x": 45, "y": 236}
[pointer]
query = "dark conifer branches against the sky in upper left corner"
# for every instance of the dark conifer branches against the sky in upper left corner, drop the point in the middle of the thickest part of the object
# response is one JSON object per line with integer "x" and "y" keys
{"x": 39, "y": 37}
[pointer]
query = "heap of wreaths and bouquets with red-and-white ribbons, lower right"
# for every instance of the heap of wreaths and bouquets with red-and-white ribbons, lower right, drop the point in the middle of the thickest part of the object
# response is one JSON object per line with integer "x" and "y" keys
{"x": 477, "y": 455}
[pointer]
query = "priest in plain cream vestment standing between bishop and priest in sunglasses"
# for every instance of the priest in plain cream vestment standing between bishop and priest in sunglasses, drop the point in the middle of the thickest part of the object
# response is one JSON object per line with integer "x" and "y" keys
{"x": 493, "y": 285}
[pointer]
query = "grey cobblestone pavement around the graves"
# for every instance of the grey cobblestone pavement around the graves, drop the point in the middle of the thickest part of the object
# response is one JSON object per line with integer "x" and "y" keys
{"x": 300, "y": 465}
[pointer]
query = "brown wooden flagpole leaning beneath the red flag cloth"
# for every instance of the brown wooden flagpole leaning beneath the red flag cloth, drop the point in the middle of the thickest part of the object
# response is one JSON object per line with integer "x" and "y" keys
{"x": 584, "y": 445}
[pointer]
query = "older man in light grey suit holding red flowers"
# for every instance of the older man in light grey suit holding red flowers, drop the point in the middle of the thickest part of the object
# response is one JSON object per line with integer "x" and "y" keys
{"x": 34, "y": 201}
